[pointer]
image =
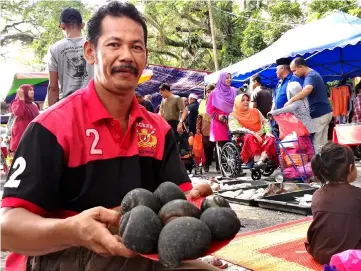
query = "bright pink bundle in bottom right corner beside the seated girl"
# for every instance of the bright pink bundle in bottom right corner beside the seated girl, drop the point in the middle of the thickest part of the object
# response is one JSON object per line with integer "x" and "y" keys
{"x": 349, "y": 260}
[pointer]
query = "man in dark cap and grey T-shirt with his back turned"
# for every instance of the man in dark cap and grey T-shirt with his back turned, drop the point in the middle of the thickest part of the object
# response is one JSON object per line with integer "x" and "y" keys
{"x": 66, "y": 63}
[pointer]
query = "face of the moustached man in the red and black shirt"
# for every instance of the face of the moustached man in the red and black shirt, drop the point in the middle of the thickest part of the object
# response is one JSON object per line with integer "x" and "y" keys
{"x": 120, "y": 56}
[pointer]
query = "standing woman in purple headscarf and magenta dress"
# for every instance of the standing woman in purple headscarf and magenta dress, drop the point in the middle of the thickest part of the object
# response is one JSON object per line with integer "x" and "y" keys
{"x": 219, "y": 106}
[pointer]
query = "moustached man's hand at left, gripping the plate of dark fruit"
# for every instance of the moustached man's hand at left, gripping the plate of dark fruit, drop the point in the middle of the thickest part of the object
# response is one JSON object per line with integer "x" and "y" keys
{"x": 90, "y": 229}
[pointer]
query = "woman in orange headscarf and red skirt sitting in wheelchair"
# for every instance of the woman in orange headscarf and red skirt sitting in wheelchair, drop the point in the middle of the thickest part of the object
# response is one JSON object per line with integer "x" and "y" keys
{"x": 258, "y": 141}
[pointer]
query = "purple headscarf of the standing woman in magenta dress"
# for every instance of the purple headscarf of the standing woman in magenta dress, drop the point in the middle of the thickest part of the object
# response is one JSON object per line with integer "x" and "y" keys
{"x": 223, "y": 95}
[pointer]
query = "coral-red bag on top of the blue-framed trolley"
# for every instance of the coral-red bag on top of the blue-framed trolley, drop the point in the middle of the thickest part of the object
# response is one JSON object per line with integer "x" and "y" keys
{"x": 288, "y": 124}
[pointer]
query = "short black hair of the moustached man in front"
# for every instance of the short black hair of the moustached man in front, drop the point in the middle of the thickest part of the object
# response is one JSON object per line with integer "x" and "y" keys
{"x": 114, "y": 9}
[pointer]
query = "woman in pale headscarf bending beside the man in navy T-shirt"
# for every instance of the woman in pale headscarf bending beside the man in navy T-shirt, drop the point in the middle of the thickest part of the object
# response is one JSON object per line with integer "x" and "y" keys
{"x": 300, "y": 108}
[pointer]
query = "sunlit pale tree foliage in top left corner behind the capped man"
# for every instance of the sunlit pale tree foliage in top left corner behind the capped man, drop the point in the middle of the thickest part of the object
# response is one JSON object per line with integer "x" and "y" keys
{"x": 35, "y": 24}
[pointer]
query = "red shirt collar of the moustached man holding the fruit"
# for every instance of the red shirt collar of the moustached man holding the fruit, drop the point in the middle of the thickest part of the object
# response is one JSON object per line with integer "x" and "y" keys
{"x": 96, "y": 109}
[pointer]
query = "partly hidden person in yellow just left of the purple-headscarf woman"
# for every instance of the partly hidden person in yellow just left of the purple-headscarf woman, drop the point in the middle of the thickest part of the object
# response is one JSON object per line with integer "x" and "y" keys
{"x": 204, "y": 127}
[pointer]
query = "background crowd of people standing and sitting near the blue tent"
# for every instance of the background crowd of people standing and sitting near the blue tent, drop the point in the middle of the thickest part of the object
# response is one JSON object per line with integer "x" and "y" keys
{"x": 300, "y": 91}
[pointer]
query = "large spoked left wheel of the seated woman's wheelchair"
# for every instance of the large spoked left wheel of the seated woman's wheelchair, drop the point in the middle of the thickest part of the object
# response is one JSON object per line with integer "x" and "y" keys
{"x": 230, "y": 160}
